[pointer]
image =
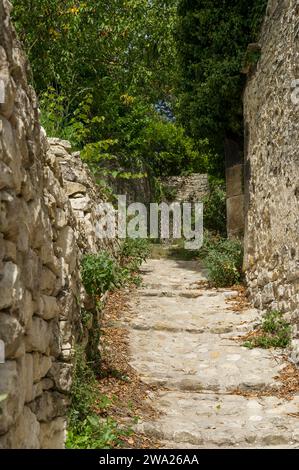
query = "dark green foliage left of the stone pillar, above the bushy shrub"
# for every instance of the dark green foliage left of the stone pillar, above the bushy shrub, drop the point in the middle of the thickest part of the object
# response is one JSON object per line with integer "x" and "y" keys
{"x": 215, "y": 208}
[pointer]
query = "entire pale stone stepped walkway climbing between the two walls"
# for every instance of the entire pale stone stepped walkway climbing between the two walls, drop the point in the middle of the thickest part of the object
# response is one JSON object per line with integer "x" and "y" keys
{"x": 182, "y": 340}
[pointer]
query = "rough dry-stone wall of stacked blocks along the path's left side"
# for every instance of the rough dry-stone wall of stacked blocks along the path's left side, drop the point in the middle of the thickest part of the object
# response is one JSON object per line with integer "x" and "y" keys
{"x": 48, "y": 218}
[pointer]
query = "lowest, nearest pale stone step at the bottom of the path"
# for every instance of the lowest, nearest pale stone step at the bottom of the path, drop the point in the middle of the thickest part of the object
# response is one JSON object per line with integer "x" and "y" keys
{"x": 215, "y": 421}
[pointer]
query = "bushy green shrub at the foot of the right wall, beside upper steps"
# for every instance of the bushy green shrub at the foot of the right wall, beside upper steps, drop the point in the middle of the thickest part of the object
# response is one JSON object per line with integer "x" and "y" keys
{"x": 223, "y": 259}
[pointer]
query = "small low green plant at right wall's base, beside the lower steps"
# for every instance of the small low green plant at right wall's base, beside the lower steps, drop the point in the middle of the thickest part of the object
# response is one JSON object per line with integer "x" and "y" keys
{"x": 274, "y": 332}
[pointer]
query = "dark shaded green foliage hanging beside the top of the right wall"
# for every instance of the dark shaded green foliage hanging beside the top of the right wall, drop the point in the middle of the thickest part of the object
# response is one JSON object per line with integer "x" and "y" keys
{"x": 212, "y": 39}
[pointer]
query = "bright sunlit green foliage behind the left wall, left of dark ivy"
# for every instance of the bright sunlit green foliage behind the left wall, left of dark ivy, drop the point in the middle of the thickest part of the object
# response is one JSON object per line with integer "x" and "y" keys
{"x": 105, "y": 75}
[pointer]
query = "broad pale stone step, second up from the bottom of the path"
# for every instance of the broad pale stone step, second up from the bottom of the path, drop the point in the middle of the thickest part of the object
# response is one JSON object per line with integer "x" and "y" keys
{"x": 185, "y": 361}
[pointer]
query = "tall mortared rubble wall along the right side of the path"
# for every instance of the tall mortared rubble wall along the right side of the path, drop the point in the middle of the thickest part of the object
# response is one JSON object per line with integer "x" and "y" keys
{"x": 272, "y": 166}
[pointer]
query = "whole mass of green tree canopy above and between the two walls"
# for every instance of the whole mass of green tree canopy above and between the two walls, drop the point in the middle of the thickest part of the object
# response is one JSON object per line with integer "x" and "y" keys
{"x": 149, "y": 85}
